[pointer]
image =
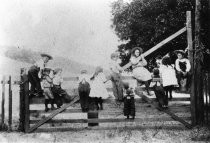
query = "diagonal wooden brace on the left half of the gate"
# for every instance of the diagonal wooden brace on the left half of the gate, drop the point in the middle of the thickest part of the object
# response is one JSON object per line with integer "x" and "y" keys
{"x": 39, "y": 123}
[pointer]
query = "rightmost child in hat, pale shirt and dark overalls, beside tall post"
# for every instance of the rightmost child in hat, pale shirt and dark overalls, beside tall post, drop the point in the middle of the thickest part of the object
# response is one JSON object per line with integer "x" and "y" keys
{"x": 183, "y": 67}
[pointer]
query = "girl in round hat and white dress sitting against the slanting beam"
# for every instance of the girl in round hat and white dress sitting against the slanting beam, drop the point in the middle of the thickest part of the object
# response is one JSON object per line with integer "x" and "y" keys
{"x": 139, "y": 71}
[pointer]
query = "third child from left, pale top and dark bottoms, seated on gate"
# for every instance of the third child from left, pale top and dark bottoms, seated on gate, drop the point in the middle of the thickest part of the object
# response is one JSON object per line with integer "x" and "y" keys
{"x": 60, "y": 95}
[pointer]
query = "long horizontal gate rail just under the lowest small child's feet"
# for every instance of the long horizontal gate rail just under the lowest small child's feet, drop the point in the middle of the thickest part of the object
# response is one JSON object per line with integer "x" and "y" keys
{"x": 109, "y": 120}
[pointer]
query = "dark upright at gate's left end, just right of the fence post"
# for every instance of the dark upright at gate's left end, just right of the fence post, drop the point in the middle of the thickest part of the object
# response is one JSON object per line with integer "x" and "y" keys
{"x": 26, "y": 103}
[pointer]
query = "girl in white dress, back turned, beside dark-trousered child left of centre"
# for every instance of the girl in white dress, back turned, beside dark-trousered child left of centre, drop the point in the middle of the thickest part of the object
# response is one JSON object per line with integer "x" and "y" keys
{"x": 98, "y": 89}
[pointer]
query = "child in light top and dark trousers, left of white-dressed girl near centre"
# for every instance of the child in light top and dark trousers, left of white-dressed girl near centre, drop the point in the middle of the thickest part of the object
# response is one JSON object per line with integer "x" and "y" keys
{"x": 84, "y": 90}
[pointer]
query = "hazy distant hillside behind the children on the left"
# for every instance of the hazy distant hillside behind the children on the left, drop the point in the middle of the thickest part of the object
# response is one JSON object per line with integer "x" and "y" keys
{"x": 28, "y": 57}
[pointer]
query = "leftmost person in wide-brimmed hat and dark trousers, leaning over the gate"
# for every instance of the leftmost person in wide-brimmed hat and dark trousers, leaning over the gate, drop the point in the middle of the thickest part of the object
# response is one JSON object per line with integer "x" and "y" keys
{"x": 35, "y": 73}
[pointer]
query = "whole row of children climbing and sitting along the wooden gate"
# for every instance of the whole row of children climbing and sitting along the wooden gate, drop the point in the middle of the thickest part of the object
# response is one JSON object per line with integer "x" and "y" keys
{"x": 92, "y": 90}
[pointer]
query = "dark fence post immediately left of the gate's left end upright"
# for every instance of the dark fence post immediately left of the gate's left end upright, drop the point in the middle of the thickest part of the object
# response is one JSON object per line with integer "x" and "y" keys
{"x": 21, "y": 102}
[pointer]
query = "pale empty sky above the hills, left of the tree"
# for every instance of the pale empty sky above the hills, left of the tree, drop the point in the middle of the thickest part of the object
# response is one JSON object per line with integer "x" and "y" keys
{"x": 76, "y": 29}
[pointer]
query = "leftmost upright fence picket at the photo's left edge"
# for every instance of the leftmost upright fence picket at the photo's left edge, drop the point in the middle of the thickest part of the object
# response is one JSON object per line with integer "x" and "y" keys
{"x": 3, "y": 101}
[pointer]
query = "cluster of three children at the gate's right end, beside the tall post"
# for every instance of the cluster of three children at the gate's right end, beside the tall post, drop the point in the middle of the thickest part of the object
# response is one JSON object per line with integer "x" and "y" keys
{"x": 171, "y": 76}
